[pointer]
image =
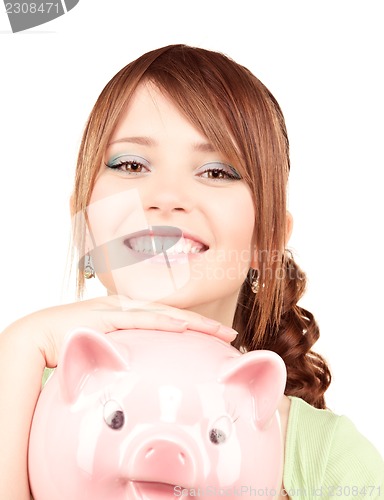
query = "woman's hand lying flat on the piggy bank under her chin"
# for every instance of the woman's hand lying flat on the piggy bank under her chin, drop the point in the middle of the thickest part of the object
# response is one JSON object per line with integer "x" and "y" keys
{"x": 106, "y": 314}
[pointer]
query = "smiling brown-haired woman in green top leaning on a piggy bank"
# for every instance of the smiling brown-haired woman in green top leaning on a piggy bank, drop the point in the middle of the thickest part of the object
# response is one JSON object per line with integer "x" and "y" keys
{"x": 186, "y": 152}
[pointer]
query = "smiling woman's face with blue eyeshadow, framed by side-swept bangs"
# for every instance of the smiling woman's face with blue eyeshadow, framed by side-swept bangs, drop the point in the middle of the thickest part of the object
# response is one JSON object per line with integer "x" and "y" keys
{"x": 173, "y": 220}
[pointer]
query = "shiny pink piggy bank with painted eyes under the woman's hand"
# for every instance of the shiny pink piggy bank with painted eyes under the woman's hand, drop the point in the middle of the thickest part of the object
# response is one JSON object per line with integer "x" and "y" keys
{"x": 152, "y": 415}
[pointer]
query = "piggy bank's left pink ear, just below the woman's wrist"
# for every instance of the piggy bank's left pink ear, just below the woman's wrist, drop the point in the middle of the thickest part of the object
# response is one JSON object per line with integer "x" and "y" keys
{"x": 86, "y": 354}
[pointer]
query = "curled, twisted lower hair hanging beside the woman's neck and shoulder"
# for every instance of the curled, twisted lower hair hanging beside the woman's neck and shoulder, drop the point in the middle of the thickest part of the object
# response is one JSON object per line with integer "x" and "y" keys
{"x": 308, "y": 375}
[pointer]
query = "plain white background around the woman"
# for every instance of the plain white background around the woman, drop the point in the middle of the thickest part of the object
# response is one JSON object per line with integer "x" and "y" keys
{"x": 323, "y": 61}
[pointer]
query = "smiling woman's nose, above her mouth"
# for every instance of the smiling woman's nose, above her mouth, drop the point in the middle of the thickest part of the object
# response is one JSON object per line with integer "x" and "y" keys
{"x": 167, "y": 195}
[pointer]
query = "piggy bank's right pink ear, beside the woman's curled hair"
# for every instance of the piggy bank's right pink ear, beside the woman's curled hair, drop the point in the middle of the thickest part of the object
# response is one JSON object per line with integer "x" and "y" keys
{"x": 264, "y": 373}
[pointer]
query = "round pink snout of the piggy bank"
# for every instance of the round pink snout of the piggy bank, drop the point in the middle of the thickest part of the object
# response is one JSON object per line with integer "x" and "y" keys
{"x": 164, "y": 460}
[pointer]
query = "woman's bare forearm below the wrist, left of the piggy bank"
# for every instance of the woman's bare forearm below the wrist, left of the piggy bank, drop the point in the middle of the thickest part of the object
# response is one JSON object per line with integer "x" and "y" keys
{"x": 22, "y": 365}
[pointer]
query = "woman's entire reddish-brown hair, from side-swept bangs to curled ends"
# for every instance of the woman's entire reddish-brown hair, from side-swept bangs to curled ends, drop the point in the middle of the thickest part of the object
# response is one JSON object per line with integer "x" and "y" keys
{"x": 242, "y": 119}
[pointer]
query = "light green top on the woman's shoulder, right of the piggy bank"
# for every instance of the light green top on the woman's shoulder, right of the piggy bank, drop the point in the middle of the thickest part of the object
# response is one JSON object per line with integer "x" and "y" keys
{"x": 325, "y": 456}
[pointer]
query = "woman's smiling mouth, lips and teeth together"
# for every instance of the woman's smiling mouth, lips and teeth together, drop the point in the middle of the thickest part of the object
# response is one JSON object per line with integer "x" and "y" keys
{"x": 161, "y": 239}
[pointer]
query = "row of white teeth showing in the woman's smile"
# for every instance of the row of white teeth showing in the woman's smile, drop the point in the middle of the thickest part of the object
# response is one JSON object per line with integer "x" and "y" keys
{"x": 172, "y": 245}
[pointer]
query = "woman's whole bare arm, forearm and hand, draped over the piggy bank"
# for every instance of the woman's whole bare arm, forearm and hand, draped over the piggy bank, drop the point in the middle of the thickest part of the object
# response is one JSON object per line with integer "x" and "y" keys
{"x": 34, "y": 342}
